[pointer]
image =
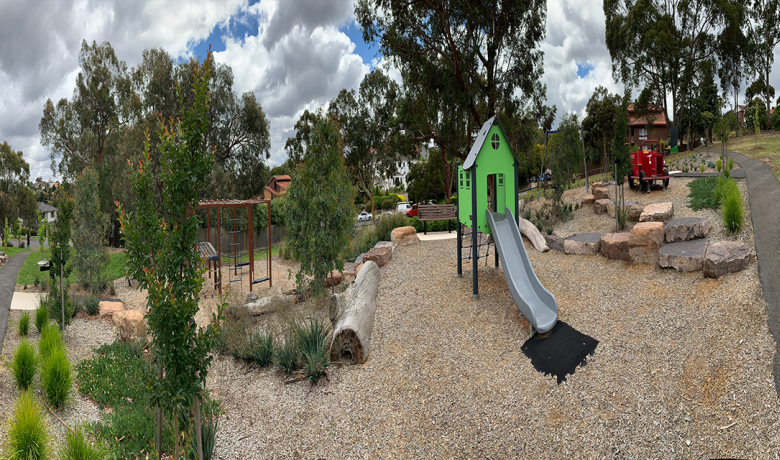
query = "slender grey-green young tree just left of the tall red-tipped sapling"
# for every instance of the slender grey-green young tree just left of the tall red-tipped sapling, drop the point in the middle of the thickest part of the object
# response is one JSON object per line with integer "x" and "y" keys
{"x": 90, "y": 227}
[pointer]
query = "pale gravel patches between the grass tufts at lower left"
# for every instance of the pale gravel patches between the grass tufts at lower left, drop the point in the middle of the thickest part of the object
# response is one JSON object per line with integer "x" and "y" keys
{"x": 81, "y": 336}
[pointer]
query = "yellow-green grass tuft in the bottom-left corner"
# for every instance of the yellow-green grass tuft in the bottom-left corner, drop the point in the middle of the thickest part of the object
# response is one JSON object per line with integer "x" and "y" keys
{"x": 27, "y": 432}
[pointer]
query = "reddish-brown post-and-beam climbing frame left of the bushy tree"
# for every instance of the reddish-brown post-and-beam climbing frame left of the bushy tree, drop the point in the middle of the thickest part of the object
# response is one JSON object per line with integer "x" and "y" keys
{"x": 207, "y": 205}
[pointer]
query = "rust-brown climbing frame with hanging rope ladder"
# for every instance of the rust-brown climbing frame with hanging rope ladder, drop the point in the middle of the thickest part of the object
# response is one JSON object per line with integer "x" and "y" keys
{"x": 213, "y": 257}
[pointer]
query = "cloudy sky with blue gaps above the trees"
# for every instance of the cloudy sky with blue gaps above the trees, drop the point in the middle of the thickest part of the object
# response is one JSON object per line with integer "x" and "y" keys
{"x": 293, "y": 54}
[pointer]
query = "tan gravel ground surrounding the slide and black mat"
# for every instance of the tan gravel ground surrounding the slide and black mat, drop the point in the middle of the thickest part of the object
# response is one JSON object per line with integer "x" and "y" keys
{"x": 683, "y": 369}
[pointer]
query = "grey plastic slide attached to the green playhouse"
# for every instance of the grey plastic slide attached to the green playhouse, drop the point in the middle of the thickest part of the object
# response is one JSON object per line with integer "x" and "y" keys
{"x": 536, "y": 303}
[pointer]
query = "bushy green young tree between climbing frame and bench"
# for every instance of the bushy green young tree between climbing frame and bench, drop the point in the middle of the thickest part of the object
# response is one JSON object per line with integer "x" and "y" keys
{"x": 319, "y": 213}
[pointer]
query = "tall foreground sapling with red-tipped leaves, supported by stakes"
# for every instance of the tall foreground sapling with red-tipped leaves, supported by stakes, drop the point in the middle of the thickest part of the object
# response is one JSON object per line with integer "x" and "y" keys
{"x": 161, "y": 236}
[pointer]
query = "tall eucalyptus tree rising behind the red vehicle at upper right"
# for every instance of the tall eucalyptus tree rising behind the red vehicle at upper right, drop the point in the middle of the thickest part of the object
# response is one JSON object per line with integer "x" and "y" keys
{"x": 659, "y": 46}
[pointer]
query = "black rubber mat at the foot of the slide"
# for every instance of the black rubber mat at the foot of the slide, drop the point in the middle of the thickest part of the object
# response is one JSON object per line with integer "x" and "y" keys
{"x": 560, "y": 352}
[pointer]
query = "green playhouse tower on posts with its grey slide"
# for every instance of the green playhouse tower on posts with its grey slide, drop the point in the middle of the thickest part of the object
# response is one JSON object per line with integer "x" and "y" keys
{"x": 487, "y": 183}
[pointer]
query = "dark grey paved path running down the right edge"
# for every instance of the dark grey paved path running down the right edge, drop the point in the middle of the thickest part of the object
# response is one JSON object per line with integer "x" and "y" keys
{"x": 764, "y": 190}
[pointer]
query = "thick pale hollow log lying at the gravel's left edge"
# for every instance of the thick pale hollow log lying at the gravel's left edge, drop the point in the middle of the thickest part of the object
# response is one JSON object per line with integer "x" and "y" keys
{"x": 353, "y": 316}
